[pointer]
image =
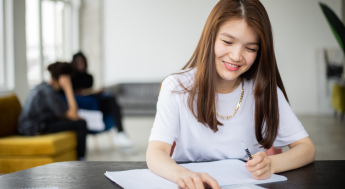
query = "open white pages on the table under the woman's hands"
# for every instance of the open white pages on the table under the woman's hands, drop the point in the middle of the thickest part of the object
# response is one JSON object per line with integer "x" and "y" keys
{"x": 226, "y": 172}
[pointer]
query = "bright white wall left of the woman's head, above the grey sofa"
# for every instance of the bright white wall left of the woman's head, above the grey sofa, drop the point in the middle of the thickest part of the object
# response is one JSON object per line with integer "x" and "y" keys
{"x": 147, "y": 40}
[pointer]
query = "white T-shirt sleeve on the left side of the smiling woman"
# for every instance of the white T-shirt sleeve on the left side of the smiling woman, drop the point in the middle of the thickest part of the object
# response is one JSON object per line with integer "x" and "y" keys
{"x": 166, "y": 125}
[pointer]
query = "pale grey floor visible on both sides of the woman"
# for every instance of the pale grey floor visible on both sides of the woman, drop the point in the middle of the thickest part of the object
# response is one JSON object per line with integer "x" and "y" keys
{"x": 327, "y": 133}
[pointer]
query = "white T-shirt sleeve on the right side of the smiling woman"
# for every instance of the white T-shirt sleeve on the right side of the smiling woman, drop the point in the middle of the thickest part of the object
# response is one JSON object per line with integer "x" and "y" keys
{"x": 290, "y": 128}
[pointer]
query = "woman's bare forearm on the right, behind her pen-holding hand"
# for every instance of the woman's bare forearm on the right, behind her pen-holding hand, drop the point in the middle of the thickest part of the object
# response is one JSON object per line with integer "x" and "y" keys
{"x": 298, "y": 156}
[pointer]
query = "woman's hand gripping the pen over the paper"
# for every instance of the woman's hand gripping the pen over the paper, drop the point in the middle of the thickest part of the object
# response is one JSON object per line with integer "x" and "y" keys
{"x": 260, "y": 166}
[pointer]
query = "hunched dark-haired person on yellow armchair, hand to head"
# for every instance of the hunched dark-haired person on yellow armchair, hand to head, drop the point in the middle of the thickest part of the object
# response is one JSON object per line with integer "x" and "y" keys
{"x": 45, "y": 112}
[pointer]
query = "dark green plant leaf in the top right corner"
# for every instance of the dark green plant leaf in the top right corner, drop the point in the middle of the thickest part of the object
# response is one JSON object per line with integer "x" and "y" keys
{"x": 336, "y": 25}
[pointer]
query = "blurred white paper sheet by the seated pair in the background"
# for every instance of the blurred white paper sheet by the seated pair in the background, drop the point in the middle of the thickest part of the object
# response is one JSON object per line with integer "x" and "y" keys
{"x": 93, "y": 118}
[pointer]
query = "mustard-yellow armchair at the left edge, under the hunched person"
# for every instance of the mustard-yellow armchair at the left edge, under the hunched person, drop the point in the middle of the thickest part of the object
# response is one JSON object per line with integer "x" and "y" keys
{"x": 23, "y": 152}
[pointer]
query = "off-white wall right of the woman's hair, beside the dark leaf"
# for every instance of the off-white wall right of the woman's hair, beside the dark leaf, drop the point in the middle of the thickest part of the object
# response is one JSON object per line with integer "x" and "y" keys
{"x": 300, "y": 30}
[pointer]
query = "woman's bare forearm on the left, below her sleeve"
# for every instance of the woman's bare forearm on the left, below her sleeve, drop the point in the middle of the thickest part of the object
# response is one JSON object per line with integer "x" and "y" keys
{"x": 162, "y": 164}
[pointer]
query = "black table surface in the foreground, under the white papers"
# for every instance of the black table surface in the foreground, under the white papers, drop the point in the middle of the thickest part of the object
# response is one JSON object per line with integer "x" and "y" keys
{"x": 76, "y": 174}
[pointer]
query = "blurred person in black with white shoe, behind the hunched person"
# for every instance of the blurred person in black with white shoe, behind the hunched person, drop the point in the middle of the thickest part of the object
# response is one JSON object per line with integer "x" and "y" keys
{"x": 82, "y": 83}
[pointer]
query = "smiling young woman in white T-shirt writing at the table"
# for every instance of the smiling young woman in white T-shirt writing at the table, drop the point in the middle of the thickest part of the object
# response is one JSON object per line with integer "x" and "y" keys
{"x": 229, "y": 91}
